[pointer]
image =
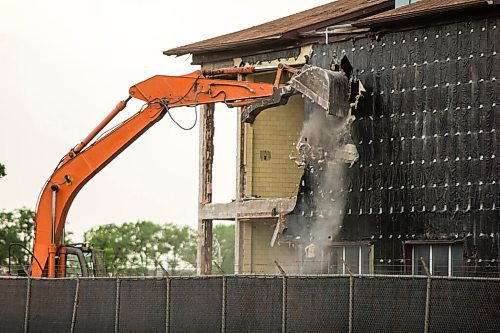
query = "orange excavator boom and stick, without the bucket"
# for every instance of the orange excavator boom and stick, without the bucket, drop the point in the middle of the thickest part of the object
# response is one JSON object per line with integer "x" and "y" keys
{"x": 84, "y": 161}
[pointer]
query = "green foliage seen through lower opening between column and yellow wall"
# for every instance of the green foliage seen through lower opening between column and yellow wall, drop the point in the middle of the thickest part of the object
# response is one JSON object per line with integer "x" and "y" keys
{"x": 223, "y": 248}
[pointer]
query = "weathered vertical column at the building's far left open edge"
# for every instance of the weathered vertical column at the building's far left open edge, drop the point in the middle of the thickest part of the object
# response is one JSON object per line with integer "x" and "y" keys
{"x": 204, "y": 253}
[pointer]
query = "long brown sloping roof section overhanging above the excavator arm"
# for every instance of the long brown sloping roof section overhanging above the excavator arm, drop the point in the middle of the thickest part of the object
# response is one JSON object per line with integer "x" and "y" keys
{"x": 288, "y": 28}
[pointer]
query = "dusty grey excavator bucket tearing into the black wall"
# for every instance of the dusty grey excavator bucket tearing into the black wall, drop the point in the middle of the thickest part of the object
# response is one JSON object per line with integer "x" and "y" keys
{"x": 329, "y": 89}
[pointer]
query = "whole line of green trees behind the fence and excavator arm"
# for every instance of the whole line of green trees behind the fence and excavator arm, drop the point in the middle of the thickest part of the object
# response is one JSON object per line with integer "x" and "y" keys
{"x": 137, "y": 248}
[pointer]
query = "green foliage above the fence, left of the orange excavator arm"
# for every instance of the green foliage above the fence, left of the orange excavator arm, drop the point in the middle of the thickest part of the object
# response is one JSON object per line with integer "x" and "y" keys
{"x": 16, "y": 227}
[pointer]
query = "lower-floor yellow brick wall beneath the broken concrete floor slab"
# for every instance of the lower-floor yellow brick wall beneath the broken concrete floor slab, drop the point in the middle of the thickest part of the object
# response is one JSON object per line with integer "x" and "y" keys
{"x": 263, "y": 255}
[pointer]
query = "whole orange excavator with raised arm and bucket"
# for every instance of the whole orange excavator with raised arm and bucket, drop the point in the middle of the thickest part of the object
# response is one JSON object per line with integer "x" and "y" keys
{"x": 160, "y": 94}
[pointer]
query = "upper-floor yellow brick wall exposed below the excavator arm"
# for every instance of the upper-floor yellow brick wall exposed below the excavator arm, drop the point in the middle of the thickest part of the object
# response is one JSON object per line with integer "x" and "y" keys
{"x": 275, "y": 130}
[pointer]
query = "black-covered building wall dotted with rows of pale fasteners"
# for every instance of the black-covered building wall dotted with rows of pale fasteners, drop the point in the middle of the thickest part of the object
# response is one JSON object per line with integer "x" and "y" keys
{"x": 426, "y": 133}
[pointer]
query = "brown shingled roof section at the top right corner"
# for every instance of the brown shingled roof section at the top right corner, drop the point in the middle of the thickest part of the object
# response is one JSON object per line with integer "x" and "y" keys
{"x": 420, "y": 9}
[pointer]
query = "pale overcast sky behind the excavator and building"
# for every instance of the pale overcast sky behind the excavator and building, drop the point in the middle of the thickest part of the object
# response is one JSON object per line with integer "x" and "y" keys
{"x": 65, "y": 64}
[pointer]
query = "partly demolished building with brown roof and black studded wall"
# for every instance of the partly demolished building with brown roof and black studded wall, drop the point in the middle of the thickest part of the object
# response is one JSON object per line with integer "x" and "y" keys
{"x": 411, "y": 173}
